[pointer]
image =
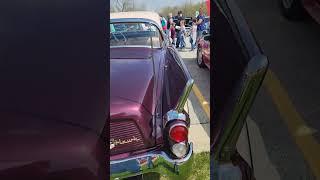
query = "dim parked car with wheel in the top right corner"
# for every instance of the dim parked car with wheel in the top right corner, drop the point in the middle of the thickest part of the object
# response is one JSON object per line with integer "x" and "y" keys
{"x": 294, "y": 9}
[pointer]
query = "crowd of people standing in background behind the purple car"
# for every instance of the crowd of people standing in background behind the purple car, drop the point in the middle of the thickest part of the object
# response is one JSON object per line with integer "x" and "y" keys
{"x": 176, "y": 31}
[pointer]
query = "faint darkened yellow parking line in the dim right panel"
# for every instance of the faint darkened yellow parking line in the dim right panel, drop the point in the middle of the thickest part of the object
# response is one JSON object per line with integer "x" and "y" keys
{"x": 306, "y": 142}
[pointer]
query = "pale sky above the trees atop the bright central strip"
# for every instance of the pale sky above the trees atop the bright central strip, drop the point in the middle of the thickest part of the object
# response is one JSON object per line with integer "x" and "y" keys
{"x": 158, "y": 4}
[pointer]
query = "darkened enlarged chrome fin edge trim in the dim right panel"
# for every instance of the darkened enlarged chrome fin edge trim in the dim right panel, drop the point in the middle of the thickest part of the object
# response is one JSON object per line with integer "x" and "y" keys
{"x": 244, "y": 96}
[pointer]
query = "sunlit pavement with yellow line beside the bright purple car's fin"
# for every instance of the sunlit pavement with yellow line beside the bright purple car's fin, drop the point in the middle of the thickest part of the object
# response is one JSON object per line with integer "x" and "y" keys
{"x": 198, "y": 102}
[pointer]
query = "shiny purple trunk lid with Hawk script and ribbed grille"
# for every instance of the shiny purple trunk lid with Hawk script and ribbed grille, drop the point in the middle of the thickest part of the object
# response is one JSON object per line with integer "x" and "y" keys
{"x": 132, "y": 104}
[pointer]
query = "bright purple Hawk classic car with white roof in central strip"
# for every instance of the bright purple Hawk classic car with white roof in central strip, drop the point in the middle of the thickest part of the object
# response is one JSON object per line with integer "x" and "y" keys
{"x": 149, "y": 85}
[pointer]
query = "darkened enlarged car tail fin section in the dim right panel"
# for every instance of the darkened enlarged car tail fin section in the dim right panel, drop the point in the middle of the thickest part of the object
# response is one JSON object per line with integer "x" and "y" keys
{"x": 239, "y": 69}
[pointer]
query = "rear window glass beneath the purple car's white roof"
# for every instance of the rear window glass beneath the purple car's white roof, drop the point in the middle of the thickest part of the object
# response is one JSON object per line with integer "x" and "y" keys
{"x": 135, "y": 34}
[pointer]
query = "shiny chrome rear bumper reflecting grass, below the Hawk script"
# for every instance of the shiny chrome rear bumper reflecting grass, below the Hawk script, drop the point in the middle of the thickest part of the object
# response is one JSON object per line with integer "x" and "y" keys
{"x": 156, "y": 162}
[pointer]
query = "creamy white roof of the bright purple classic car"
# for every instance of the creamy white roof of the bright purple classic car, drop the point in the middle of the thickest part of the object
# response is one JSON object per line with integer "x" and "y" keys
{"x": 137, "y": 15}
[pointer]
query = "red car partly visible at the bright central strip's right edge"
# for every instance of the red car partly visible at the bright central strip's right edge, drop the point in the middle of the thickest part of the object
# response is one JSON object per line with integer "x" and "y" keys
{"x": 203, "y": 51}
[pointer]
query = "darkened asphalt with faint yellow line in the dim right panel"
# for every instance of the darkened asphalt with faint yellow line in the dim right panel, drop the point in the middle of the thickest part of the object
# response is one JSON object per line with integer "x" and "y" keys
{"x": 286, "y": 110}
